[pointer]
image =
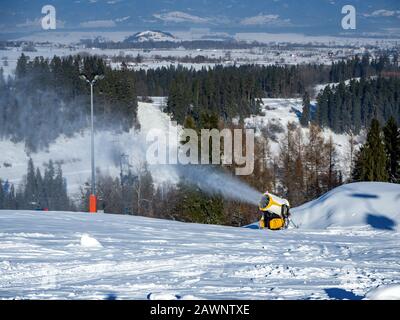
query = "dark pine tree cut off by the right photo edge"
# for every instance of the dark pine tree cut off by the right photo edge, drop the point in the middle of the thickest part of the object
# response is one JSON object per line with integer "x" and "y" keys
{"x": 392, "y": 146}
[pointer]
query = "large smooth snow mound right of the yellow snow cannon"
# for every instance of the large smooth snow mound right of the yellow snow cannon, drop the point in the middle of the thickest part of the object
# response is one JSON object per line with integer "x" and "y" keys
{"x": 373, "y": 204}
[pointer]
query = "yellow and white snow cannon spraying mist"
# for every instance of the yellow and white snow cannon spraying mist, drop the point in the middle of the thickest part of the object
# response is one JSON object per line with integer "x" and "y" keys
{"x": 274, "y": 212}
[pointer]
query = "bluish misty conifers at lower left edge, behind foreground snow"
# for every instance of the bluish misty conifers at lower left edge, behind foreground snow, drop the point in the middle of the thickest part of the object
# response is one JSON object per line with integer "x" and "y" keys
{"x": 47, "y": 191}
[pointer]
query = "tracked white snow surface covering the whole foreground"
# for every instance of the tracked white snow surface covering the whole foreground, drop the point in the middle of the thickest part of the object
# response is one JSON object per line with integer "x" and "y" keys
{"x": 142, "y": 258}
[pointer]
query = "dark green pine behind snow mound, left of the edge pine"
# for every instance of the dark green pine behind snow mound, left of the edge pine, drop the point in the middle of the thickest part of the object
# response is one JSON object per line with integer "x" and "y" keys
{"x": 371, "y": 161}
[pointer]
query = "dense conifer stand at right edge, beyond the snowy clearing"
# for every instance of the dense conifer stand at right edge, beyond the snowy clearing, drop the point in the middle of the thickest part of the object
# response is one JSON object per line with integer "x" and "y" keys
{"x": 351, "y": 107}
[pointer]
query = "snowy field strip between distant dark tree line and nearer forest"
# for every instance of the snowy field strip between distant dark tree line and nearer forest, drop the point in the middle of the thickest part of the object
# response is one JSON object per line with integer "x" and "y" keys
{"x": 261, "y": 56}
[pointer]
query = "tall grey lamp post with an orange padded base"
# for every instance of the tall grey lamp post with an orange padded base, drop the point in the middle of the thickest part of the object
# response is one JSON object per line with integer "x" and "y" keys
{"x": 93, "y": 199}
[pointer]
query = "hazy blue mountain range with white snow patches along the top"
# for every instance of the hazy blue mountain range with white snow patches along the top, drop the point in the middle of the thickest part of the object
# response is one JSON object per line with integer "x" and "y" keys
{"x": 309, "y": 16}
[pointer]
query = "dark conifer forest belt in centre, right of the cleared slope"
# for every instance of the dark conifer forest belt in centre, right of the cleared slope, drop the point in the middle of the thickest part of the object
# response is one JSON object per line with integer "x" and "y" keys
{"x": 227, "y": 92}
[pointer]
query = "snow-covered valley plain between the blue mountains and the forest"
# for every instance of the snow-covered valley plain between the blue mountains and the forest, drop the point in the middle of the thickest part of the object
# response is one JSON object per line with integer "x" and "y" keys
{"x": 325, "y": 51}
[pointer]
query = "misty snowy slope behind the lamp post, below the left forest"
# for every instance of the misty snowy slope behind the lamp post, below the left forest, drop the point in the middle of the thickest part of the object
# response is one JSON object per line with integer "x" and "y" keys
{"x": 74, "y": 152}
